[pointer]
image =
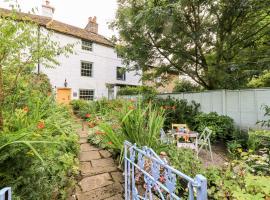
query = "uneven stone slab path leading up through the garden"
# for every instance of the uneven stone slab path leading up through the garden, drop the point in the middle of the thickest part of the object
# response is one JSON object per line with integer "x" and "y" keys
{"x": 100, "y": 177}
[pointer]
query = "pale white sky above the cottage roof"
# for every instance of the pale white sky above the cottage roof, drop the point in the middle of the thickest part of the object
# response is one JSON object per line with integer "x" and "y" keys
{"x": 76, "y": 12}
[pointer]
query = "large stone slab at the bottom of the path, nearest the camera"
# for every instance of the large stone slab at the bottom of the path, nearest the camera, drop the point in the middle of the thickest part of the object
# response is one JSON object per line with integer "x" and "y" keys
{"x": 112, "y": 190}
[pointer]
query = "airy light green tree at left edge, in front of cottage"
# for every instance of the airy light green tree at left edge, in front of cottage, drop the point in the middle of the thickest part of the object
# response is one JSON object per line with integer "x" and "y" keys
{"x": 23, "y": 44}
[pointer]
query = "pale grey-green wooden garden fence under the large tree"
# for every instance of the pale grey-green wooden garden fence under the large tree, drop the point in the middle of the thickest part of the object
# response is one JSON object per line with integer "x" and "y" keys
{"x": 244, "y": 106}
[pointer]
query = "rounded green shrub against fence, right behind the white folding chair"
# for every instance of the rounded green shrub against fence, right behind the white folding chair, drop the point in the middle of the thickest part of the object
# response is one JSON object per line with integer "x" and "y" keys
{"x": 222, "y": 126}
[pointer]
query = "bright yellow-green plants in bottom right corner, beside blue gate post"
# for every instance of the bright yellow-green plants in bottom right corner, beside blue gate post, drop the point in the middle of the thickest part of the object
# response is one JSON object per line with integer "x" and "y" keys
{"x": 234, "y": 182}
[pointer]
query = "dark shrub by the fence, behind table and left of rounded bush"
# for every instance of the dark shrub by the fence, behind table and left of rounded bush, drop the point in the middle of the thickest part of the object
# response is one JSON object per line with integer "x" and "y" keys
{"x": 177, "y": 111}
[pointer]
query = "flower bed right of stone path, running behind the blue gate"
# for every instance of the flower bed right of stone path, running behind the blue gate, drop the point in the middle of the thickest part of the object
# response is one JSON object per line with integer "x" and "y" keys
{"x": 140, "y": 123}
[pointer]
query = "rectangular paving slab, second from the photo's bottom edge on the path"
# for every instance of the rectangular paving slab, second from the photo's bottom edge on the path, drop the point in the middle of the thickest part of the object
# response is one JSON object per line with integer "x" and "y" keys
{"x": 90, "y": 183}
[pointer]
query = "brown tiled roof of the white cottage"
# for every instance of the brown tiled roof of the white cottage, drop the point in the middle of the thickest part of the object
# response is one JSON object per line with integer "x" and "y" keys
{"x": 61, "y": 27}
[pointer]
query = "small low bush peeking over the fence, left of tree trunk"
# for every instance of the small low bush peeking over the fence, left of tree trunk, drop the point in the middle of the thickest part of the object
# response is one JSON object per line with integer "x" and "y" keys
{"x": 186, "y": 86}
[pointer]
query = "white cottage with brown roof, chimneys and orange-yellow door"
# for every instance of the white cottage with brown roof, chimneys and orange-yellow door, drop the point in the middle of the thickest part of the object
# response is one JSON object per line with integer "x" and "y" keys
{"x": 94, "y": 71}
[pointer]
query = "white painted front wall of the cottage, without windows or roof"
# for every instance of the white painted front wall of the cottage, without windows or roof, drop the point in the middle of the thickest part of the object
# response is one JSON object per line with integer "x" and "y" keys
{"x": 104, "y": 61}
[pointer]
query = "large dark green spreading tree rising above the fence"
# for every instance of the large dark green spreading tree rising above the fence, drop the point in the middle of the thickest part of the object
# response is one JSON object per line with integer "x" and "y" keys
{"x": 217, "y": 43}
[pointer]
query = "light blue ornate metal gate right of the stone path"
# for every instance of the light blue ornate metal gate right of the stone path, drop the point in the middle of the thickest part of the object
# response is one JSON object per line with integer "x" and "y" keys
{"x": 148, "y": 176}
